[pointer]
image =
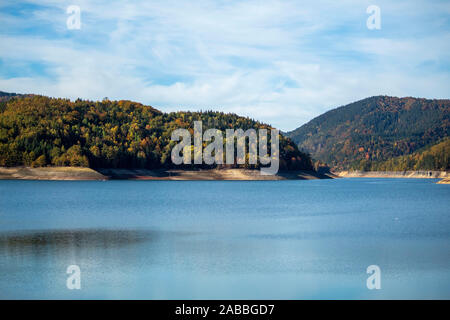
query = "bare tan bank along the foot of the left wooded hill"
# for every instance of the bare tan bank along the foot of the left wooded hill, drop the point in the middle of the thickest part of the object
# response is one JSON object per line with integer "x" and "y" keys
{"x": 80, "y": 173}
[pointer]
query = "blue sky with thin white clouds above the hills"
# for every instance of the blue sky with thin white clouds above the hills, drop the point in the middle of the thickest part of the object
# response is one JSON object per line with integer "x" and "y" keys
{"x": 282, "y": 62}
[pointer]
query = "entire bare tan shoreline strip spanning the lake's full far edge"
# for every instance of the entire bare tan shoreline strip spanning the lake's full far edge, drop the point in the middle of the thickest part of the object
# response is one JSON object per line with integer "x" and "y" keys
{"x": 81, "y": 173}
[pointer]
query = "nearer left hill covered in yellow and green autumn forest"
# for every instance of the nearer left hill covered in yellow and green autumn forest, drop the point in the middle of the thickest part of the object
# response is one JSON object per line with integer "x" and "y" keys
{"x": 42, "y": 131}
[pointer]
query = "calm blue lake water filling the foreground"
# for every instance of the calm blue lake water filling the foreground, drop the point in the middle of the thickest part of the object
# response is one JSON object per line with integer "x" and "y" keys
{"x": 225, "y": 239}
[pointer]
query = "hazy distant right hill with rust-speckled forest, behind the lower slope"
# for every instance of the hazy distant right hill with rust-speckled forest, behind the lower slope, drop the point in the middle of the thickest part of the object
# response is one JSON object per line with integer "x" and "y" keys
{"x": 372, "y": 130}
